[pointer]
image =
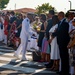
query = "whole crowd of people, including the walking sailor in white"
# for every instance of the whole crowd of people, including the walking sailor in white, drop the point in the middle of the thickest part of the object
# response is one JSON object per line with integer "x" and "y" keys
{"x": 51, "y": 34}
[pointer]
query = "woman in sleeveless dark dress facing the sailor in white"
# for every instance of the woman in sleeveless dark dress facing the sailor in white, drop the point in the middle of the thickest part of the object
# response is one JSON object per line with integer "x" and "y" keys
{"x": 41, "y": 35}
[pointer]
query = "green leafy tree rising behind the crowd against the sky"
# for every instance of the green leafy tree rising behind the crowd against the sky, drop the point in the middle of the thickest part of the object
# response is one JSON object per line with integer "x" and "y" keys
{"x": 44, "y": 8}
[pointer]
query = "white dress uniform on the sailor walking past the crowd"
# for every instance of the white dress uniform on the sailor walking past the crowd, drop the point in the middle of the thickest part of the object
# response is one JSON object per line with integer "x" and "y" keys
{"x": 24, "y": 35}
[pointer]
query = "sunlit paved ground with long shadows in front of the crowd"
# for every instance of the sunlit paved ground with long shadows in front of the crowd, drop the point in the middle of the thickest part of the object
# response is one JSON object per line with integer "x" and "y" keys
{"x": 9, "y": 65}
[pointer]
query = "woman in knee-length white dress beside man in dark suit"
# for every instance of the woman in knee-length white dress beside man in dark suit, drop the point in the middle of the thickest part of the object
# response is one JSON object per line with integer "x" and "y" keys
{"x": 54, "y": 46}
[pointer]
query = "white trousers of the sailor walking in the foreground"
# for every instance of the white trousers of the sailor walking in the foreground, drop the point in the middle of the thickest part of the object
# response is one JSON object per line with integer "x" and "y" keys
{"x": 22, "y": 47}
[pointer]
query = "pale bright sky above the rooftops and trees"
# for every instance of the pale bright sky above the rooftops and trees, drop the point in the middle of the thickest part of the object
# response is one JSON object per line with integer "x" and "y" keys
{"x": 60, "y": 5}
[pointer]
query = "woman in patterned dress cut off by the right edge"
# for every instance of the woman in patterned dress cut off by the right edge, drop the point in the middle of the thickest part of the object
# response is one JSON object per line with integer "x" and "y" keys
{"x": 71, "y": 45}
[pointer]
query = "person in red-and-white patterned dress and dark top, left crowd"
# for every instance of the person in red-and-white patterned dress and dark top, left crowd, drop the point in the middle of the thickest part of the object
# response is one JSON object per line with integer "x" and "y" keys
{"x": 11, "y": 29}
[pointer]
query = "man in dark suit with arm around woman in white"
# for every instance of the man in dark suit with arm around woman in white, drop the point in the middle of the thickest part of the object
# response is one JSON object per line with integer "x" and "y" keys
{"x": 62, "y": 40}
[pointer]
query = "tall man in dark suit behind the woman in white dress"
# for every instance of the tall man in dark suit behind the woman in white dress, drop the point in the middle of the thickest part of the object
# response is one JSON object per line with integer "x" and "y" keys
{"x": 50, "y": 24}
